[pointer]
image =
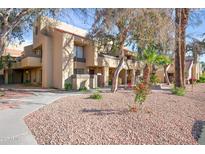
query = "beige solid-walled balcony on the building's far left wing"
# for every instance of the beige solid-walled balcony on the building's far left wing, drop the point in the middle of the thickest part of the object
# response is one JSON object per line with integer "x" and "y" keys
{"x": 27, "y": 62}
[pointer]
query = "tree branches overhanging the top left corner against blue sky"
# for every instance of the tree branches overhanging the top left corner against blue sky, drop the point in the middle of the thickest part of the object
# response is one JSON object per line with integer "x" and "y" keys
{"x": 14, "y": 22}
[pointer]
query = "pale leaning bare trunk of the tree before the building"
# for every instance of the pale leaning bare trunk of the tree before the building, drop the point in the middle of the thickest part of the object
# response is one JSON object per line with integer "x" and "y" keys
{"x": 116, "y": 75}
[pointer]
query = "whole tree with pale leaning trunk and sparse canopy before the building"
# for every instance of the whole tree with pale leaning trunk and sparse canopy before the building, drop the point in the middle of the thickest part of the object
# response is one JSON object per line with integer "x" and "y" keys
{"x": 112, "y": 28}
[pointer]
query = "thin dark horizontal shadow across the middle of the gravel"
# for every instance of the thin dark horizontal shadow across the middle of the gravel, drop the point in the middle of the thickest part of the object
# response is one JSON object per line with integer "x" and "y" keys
{"x": 101, "y": 112}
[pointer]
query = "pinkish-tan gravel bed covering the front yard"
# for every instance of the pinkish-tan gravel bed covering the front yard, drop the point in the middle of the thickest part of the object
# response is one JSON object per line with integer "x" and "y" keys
{"x": 165, "y": 119}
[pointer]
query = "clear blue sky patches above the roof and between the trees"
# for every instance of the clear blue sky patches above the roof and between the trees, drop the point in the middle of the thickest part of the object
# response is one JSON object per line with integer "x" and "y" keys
{"x": 193, "y": 29}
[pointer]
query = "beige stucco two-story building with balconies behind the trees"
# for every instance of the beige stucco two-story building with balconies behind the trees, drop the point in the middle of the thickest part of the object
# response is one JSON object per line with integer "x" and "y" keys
{"x": 62, "y": 53}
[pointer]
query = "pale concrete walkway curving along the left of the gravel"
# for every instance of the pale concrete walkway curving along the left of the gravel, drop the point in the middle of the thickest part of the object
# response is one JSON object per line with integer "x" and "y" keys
{"x": 13, "y": 130}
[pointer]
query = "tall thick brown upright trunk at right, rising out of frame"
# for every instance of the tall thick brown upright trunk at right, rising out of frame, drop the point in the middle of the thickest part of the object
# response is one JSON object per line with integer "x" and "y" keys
{"x": 181, "y": 20}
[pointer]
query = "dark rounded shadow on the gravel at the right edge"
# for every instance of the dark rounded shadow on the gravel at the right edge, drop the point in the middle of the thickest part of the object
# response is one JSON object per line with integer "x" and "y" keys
{"x": 197, "y": 129}
